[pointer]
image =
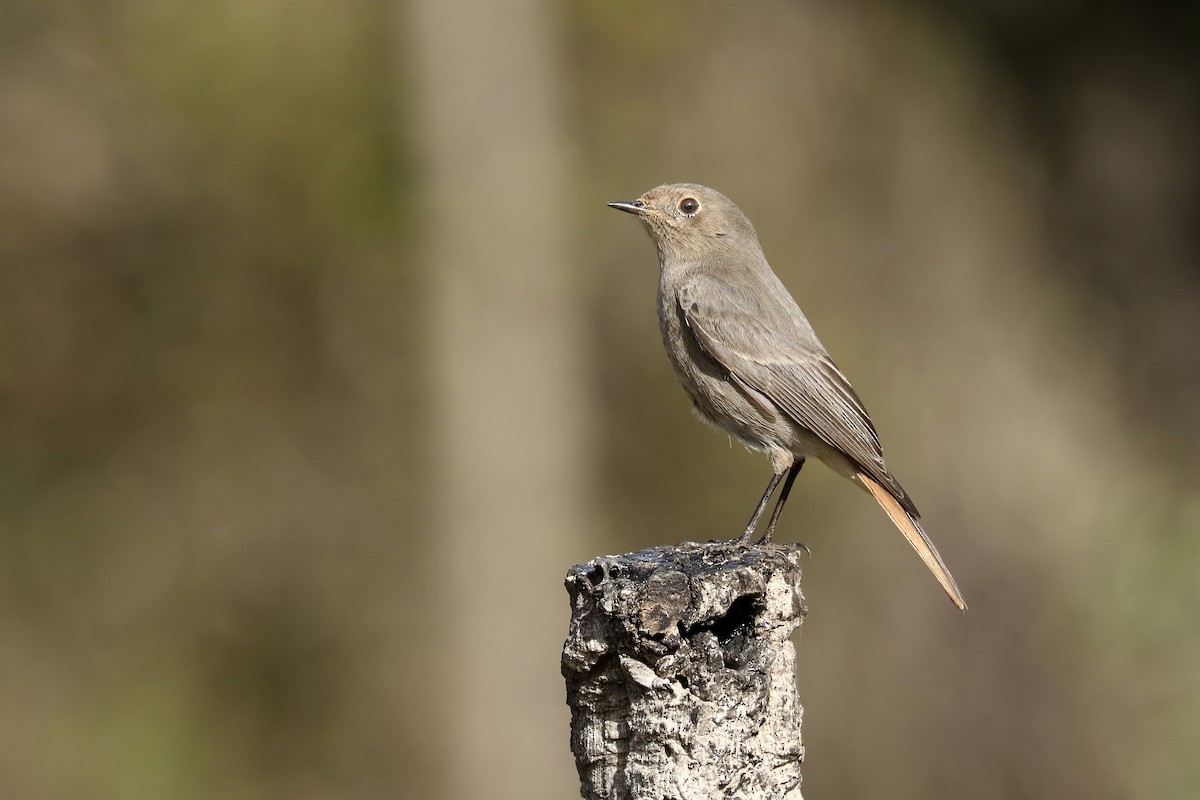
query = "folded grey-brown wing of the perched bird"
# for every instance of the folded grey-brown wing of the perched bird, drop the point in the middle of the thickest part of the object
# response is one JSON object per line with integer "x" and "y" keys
{"x": 778, "y": 357}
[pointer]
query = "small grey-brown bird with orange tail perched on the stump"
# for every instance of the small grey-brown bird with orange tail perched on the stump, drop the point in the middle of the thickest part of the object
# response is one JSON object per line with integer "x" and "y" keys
{"x": 752, "y": 363}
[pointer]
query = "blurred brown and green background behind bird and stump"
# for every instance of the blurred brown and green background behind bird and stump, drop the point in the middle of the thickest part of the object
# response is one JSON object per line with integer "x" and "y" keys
{"x": 322, "y": 360}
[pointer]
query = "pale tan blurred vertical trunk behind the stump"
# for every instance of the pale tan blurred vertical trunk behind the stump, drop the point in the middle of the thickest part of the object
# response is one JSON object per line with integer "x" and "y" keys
{"x": 508, "y": 401}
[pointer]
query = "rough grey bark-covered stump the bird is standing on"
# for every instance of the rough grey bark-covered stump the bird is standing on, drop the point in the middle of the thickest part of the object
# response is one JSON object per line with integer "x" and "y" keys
{"x": 681, "y": 675}
